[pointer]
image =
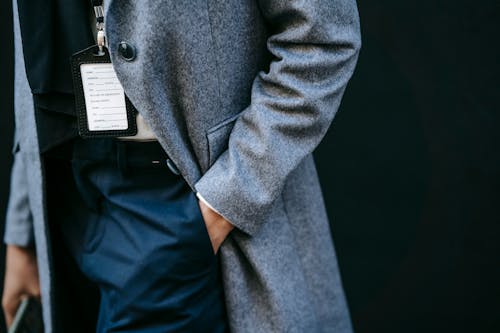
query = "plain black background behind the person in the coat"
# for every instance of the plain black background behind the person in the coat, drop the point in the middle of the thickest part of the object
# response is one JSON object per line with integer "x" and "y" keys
{"x": 410, "y": 168}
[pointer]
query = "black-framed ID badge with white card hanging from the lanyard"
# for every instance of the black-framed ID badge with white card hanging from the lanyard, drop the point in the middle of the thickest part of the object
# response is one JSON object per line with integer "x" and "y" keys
{"x": 103, "y": 109}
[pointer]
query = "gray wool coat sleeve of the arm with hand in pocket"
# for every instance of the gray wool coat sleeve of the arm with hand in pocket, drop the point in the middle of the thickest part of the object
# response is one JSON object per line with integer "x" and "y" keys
{"x": 315, "y": 45}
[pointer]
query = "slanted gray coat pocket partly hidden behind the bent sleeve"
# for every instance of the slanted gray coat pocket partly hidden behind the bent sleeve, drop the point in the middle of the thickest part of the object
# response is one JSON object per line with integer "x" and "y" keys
{"x": 218, "y": 138}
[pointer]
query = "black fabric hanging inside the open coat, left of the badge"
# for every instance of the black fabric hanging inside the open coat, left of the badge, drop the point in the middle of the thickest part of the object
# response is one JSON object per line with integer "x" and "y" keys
{"x": 53, "y": 30}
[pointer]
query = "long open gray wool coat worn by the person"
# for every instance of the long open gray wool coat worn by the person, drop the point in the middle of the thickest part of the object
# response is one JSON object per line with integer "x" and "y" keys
{"x": 239, "y": 94}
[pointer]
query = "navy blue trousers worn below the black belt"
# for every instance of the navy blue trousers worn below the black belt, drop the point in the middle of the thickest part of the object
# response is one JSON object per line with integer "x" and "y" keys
{"x": 135, "y": 229}
